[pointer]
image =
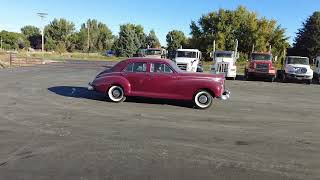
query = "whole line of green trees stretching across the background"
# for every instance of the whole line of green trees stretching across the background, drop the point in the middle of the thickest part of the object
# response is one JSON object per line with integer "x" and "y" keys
{"x": 223, "y": 26}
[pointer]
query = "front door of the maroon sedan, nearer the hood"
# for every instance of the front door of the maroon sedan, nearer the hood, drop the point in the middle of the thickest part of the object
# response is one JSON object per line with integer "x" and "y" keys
{"x": 161, "y": 81}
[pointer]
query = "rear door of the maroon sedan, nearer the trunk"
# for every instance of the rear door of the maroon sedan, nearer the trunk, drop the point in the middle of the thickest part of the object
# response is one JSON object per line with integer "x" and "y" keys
{"x": 135, "y": 73}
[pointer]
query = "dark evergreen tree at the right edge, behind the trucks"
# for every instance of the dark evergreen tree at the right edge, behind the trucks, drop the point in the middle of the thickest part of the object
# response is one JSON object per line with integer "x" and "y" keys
{"x": 307, "y": 42}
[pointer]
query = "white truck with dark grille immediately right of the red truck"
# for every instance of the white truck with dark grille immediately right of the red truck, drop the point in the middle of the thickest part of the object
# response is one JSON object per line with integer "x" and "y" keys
{"x": 297, "y": 68}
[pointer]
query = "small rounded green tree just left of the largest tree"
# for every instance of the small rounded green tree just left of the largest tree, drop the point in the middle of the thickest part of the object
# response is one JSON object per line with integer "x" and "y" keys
{"x": 175, "y": 39}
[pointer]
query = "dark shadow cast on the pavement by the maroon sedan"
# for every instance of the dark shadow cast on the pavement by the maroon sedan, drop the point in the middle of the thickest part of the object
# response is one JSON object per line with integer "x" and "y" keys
{"x": 82, "y": 92}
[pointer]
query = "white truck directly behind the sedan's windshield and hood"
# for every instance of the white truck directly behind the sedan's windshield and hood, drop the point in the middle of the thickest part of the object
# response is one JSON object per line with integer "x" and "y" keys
{"x": 188, "y": 60}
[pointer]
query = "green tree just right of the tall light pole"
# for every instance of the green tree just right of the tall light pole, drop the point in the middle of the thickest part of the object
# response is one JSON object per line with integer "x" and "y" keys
{"x": 58, "y": 32}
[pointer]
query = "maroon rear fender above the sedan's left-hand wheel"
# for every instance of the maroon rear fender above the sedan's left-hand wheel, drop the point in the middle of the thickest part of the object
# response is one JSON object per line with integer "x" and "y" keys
{"x": 102, "y": 84}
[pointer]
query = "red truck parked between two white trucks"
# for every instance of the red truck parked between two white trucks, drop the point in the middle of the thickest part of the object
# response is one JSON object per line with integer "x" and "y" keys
{"x": 260, "y": 66}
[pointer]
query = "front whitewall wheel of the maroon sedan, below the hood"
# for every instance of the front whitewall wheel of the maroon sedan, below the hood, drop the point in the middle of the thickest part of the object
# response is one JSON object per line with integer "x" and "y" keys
{"x": 202, "y": 99}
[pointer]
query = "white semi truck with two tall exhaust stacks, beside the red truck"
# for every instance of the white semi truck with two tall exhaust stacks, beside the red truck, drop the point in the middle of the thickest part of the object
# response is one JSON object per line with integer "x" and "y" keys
{"x": 224, "y": 62}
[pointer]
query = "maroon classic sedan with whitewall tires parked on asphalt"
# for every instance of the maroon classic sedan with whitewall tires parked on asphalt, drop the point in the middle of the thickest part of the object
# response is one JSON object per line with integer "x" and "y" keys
{"x": 158, "y": 78}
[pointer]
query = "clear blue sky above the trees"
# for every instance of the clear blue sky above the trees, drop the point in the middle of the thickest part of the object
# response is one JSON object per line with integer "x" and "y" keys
{"x": 162, "y": 16}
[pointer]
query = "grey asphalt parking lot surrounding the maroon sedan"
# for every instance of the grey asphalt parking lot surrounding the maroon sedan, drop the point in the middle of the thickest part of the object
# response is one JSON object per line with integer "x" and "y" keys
{"x": 51, "y": 127}
